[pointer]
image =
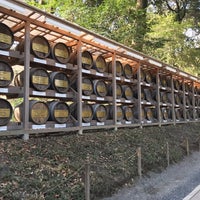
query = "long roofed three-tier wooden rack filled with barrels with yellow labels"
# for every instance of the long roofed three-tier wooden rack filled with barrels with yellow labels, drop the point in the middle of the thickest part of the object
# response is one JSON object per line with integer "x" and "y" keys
{"x": 69, "y": 78}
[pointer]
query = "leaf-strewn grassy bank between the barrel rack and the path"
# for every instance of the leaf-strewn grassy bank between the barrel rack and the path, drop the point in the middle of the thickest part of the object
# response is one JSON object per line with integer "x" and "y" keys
{"x": 52, "y": 167}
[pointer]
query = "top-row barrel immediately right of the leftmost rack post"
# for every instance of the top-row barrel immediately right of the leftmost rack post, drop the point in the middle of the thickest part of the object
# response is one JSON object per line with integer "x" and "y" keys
{"x": 40, "y": 47}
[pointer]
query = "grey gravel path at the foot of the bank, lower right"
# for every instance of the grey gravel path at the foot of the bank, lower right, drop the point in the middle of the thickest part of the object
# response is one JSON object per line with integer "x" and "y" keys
{"x": 172, "y": 184}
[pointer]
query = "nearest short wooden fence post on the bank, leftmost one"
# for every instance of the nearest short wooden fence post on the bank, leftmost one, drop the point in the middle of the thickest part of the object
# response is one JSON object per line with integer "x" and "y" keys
{"x": 87, "y": 179}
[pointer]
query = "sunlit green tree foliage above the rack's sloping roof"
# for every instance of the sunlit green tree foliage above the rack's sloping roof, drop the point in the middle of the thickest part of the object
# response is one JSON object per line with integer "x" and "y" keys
{"x": 165, "y": 29}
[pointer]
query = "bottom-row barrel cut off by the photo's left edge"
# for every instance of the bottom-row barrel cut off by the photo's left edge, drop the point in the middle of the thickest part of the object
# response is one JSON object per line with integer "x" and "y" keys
{"x": 5, "y": 112}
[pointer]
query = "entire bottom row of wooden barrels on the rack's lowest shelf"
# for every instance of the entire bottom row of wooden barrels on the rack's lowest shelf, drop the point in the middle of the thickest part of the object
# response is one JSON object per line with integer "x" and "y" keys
{"x": 60, "y": 112}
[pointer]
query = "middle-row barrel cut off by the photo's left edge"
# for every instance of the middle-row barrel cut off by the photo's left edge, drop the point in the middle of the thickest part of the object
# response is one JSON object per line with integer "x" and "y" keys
{"x": 6, "y": 74}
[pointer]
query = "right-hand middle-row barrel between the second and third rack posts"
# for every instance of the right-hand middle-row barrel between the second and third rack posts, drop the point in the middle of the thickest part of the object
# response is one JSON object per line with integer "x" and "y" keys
{"x": 100, "y": 88}
